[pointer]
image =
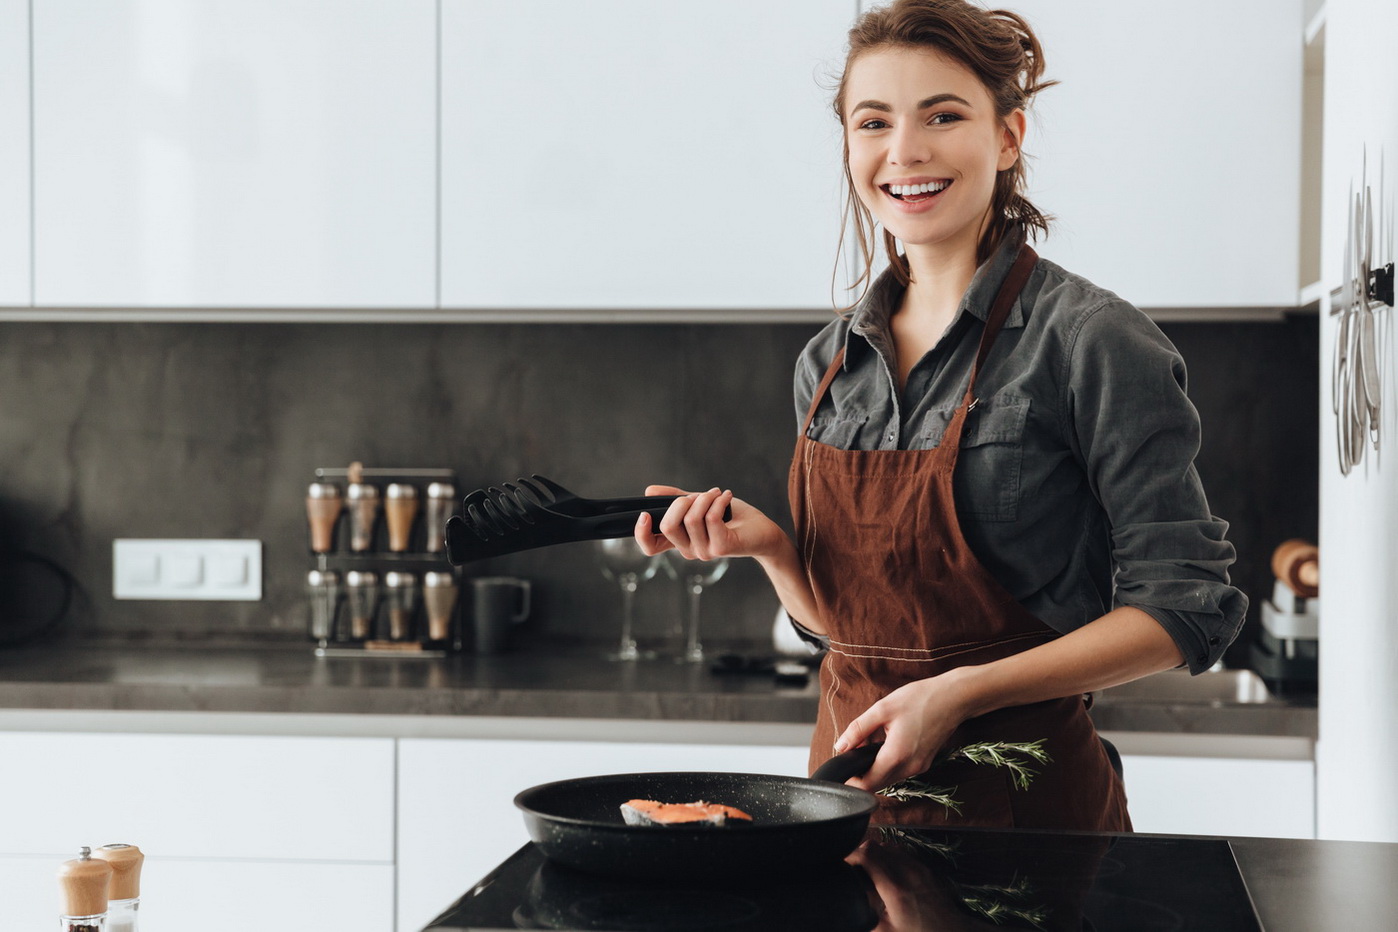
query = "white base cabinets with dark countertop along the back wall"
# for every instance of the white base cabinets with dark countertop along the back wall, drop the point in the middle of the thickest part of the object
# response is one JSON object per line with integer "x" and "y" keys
{"x": 385, "y": 785}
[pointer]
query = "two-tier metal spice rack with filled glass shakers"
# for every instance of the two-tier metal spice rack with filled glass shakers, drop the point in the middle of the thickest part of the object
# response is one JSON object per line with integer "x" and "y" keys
{"x": 360, "y": 546}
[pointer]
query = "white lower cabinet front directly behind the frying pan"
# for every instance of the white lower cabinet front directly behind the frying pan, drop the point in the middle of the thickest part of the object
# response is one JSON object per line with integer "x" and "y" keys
{"x": 456, "y": 813}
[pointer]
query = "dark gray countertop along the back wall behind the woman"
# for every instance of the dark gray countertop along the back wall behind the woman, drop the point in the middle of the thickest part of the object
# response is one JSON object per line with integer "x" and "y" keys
{"x": 561, "y": 684}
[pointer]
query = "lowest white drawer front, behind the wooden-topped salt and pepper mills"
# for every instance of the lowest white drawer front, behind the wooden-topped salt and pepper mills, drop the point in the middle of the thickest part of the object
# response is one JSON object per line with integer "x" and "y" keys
{"x": 219, "y": 896}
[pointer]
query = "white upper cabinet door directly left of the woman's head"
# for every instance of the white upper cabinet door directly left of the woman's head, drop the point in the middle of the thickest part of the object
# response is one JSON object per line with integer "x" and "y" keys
{"x": 628, "y": 154}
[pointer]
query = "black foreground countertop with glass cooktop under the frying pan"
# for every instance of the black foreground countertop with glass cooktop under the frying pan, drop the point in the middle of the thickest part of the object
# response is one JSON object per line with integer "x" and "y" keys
{"x": 978, "y": 880}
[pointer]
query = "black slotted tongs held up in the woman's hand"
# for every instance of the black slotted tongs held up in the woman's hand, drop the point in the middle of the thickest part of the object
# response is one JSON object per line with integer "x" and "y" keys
{"x": 538, "y": 512}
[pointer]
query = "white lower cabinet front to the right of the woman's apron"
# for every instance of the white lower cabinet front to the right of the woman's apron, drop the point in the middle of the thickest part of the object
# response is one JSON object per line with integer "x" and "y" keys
{"x": 1221, "y": 797}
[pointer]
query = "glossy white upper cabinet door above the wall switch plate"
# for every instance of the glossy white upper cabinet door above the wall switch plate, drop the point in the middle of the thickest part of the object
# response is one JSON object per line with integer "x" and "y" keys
{"x": 233, "y": 153}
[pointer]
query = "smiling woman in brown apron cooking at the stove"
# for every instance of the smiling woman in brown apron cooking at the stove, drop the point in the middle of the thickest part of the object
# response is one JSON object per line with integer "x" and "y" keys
{"x": 993, "y": 491}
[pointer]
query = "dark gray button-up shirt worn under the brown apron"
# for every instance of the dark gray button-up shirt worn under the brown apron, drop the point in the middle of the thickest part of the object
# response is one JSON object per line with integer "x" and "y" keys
{"x": 1076, "y": 486}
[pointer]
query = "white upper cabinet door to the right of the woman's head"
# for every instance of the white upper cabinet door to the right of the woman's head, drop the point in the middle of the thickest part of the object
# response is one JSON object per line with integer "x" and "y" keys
{"x": 1171, "y": 153}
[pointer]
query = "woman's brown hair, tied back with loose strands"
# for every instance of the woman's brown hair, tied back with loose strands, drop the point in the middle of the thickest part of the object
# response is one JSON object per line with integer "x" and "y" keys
{"x": 999, "y": 47}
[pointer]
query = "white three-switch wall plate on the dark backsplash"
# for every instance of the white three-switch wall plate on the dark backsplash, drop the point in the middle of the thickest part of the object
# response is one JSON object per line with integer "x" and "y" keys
{"x": 224, "y": 571}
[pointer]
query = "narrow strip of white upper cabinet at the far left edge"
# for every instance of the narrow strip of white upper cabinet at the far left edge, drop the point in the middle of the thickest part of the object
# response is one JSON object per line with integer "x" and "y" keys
{"x": 15, "y": 153}
